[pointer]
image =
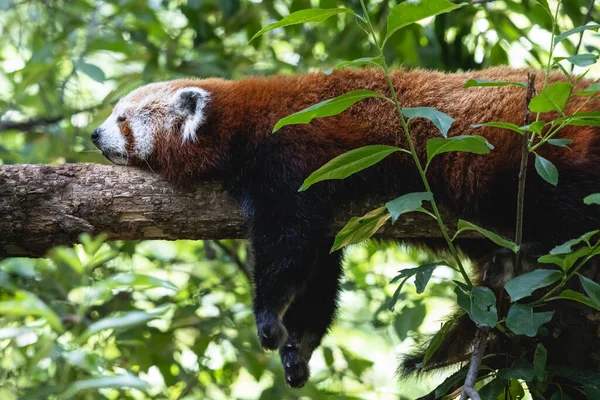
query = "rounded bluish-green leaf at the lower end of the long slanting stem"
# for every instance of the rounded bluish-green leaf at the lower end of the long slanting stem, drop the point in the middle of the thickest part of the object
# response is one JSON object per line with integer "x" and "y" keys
{"x": 480, "y": 304}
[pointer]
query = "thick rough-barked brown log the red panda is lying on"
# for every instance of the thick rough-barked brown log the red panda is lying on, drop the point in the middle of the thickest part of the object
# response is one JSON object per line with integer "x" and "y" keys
{"x": 43, "y": 206}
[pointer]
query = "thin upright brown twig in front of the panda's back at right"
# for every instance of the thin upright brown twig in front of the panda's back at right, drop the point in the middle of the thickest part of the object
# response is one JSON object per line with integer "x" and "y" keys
{"x": 523, "y": 169}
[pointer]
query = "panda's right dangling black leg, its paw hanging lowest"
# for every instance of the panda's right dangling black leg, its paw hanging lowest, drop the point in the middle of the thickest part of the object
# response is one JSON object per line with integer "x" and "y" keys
{"x": 309, "y": 316}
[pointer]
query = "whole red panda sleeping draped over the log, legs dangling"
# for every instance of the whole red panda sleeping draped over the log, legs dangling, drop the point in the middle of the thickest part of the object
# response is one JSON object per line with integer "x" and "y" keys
{"x": 191, "y": 129}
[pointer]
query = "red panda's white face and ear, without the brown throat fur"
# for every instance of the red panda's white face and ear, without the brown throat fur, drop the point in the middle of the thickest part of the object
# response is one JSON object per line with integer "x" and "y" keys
{"x": 171, "y": 112}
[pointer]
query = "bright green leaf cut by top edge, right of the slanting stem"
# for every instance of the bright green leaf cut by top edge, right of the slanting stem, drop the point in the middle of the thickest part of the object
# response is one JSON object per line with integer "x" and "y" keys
{"x": 409, "y": 12}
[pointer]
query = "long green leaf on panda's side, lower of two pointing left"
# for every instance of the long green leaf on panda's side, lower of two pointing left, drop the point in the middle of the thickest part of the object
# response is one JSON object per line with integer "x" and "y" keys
{"x": 349, "y": 163}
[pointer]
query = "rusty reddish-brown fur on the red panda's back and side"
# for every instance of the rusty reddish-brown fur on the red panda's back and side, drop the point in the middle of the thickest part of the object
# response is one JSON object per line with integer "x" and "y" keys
{"x": 260, "y": 102}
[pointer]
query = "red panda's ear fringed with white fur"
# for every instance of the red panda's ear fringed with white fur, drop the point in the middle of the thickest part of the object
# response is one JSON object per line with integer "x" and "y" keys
{"x": 190, "y": 103}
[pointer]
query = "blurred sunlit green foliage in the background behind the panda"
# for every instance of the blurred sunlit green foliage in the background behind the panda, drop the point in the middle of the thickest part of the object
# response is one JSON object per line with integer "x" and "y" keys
{"x": 172, "y": 320}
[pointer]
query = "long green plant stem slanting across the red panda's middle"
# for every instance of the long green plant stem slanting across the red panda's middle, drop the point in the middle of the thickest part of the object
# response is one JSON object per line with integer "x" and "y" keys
{"x": 413, "y": 151}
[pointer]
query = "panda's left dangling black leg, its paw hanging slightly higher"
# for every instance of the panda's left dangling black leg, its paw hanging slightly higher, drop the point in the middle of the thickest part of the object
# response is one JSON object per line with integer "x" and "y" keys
{"x": 285, "y": 240}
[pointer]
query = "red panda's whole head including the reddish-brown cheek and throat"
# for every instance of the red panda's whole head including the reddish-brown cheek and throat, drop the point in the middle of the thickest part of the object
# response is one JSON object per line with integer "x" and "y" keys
{"x": 161, "y": 125}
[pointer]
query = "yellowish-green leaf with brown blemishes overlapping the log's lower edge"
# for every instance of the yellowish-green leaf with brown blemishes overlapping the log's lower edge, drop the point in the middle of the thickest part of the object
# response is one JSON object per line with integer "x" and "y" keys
{"x": 360, "y": 228}
